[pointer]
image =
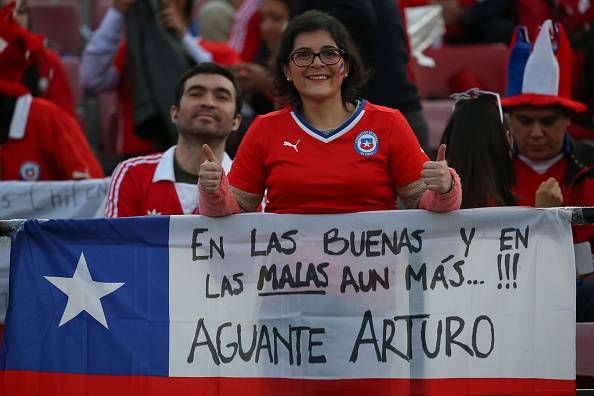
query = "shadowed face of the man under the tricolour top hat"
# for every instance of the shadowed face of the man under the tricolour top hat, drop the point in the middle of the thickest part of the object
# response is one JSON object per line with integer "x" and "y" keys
{"x": 538, "y": 131}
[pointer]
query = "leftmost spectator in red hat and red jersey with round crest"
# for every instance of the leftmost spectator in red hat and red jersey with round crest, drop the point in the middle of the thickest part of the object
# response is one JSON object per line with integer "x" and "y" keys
{"x": 39, "y": 141}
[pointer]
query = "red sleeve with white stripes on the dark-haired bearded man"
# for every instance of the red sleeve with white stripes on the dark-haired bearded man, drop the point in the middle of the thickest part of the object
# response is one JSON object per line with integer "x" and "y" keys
{"x": 122, "y": 197}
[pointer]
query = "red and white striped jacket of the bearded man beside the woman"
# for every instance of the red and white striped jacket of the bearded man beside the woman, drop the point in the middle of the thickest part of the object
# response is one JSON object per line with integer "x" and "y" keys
{"x": 146, "y": 185}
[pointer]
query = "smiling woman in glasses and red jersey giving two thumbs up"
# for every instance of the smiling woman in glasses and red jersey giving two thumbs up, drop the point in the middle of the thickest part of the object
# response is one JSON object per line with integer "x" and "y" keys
{"x": 329, "y": 152}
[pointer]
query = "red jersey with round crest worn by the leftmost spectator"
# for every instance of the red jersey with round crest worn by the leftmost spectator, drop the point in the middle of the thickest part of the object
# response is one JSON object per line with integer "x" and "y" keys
{"x": 45, "y": 143}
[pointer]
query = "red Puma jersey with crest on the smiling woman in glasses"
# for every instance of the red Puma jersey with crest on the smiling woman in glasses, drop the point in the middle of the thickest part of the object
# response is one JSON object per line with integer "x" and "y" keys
{"x": 357, "y": 167}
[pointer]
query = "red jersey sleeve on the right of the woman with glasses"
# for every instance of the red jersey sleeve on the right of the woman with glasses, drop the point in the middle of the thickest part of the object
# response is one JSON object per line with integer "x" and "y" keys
{"x": 406, "y": 157}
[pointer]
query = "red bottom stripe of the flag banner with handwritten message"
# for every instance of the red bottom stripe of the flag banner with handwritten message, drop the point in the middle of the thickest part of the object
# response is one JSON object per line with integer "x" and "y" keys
{"x": 25, "y": 383}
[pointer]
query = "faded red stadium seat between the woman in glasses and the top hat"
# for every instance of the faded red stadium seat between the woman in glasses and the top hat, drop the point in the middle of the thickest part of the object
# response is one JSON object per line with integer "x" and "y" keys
{"x": 486, "y": 62}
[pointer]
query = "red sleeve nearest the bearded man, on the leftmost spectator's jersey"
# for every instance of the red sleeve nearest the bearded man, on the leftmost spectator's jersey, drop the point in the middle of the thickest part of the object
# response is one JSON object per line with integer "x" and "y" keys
{"x": 69, "y": 149}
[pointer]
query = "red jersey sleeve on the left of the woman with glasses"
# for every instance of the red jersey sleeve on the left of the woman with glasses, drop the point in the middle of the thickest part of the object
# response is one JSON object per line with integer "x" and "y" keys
{"x": 248, "y": 172}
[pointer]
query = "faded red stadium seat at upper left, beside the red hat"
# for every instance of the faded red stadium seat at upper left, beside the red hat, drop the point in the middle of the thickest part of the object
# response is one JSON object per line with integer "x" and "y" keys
{"x": 45, "y": 20}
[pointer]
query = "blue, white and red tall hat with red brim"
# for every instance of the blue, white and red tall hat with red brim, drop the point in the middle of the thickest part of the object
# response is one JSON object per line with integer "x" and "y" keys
{"x": 540, "y": 75}
